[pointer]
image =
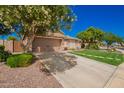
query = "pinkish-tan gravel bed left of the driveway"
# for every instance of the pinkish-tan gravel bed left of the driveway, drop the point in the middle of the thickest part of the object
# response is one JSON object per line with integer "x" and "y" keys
{"x": 27, "y": 77}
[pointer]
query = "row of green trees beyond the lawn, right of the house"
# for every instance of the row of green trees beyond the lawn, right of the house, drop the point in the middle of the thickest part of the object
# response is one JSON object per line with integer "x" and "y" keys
{"x": 94, "y": 36}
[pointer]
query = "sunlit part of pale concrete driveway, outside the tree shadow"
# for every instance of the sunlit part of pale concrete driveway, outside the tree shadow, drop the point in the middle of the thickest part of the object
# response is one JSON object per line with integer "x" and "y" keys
{"x": 86, "y": 73}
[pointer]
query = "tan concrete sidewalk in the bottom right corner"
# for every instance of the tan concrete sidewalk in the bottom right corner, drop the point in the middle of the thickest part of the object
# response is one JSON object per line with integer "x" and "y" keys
{"x": 117, "y": 80}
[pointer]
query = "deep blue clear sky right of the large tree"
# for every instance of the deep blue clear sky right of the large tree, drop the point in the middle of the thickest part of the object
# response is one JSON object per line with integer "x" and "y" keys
{"x": 108, "y": 18}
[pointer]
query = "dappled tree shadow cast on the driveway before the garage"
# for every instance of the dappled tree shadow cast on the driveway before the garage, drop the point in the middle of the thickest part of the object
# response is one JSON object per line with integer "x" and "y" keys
{"x": 56, "y": 62}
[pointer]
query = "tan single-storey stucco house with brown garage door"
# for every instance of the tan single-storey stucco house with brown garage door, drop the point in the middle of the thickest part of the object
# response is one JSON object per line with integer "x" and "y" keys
{"x": 55, "y": 42}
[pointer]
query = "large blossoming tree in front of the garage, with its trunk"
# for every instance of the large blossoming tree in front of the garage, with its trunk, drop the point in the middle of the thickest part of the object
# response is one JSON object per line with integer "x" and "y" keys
{"x": 36, "y": 19}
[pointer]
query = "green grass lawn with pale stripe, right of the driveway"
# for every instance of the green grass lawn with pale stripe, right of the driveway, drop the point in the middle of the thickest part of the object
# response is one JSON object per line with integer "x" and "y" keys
{"x": 112, "y": 58}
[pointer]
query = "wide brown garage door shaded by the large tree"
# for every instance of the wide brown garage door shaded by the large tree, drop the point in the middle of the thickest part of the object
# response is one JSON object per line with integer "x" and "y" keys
{"x": 46, "y": 44}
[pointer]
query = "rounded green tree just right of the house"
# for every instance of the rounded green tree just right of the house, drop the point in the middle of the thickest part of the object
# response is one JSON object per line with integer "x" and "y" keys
{"x": 91, "y": 35}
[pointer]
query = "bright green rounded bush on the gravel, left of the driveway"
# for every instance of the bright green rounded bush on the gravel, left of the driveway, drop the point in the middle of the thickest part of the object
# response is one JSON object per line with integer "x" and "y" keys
{"x": 20, "y": 60}
